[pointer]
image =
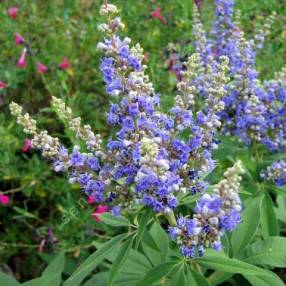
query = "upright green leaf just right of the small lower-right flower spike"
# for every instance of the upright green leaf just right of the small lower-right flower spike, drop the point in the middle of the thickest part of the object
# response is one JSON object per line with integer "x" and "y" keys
{"x": 246, "y": 231}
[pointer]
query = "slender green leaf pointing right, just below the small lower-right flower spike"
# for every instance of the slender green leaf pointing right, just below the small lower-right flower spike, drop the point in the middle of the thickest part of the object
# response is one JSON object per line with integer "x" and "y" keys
{"x": 230, "y": 265}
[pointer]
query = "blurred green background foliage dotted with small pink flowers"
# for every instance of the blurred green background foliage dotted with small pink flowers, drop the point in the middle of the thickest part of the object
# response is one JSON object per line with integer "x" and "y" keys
{"x": 49, "y": 48}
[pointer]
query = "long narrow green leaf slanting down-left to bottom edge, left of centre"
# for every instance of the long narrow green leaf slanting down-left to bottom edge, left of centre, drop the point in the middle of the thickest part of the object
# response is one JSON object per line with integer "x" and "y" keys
{"x": 92, "y": 261}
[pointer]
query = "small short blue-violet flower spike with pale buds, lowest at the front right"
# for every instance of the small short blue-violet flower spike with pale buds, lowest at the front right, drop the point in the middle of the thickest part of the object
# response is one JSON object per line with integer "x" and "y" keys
{"x": 214, "y": 214}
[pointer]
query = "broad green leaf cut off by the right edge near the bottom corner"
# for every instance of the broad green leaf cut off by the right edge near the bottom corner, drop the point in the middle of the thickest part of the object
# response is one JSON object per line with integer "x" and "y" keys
{"x": 271, "y": 251}
